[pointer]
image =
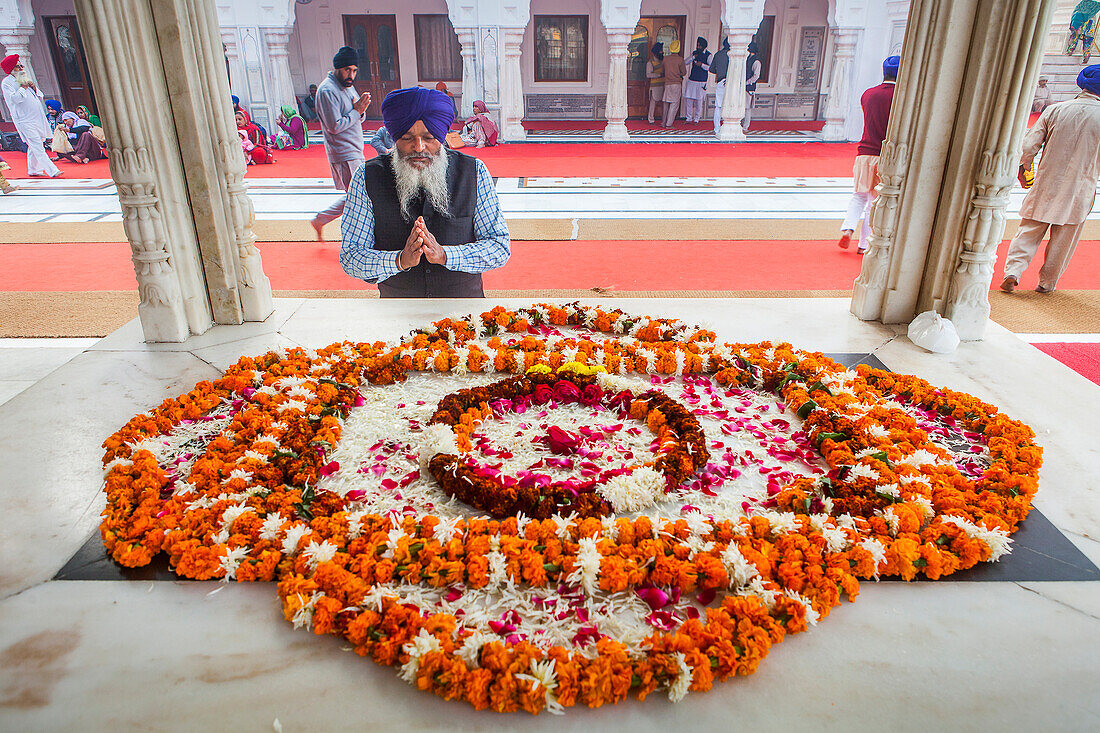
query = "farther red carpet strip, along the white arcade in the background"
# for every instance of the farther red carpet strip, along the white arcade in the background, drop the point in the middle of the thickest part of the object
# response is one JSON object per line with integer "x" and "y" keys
{"x": 573, "y": 160}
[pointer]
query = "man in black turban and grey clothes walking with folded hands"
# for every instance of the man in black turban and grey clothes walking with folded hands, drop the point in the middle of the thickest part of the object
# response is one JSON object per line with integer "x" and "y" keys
{"x": 340, "y": 111}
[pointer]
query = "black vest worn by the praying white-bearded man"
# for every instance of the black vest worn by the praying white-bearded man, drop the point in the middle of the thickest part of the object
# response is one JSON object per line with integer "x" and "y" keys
{"x": 392, "y": 231}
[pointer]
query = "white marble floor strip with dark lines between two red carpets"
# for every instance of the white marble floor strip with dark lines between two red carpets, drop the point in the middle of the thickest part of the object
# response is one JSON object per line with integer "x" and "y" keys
{"x": 790, "y": 199}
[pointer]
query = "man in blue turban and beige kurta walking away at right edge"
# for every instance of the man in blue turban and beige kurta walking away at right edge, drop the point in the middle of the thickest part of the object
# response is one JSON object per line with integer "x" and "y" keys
{"x": 1065, "y": 185}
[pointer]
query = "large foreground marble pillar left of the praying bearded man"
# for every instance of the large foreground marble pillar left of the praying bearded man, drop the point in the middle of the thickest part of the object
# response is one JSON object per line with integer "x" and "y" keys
{"x": 177, "y": 162}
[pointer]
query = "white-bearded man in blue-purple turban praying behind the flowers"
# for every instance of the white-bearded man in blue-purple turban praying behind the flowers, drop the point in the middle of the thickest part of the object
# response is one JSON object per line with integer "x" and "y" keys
{"x": 423, "y": 221}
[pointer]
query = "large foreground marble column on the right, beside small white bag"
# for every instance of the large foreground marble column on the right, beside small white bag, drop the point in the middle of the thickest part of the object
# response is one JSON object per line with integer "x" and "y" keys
{"x": 952, "y": 150}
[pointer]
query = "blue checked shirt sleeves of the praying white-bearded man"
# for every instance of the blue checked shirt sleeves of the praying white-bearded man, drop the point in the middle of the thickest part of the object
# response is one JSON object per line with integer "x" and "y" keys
{"x": 359, "y": 258}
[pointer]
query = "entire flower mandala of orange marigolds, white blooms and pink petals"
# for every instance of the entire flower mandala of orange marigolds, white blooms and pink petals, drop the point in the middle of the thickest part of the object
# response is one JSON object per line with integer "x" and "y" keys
{"x": 557, "y": 506}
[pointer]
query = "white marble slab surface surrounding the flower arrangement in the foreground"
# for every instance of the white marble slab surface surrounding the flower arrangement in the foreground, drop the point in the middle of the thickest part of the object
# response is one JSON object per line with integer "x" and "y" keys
{"x": 185, "y": 657}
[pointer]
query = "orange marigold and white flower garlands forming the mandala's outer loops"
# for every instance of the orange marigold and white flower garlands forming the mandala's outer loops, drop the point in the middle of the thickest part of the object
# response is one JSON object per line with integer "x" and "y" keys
{"x": 224, "y": 480}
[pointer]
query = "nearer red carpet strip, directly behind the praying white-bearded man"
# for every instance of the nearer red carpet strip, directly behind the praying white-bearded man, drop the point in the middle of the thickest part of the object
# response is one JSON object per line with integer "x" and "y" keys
{"x": 632, "y": 266}
